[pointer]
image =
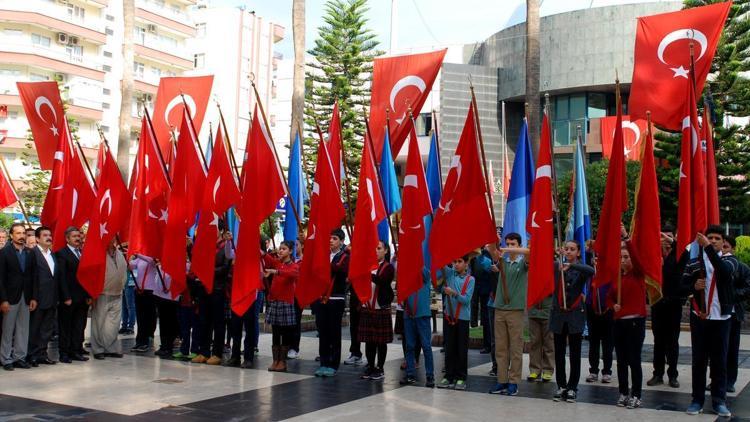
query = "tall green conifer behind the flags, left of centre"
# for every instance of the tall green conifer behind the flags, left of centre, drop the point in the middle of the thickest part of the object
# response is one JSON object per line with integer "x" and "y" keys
{"x": 341, "y": 70}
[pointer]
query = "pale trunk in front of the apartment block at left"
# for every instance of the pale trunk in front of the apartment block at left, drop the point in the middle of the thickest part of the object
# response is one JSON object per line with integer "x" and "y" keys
{"x": 126, "y": 88}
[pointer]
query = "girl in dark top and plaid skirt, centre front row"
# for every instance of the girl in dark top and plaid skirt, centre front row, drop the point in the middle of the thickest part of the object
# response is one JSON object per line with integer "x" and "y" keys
{"x": 375, "y": 324}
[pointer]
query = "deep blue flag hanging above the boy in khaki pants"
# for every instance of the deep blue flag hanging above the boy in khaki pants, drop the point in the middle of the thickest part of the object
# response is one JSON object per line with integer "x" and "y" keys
{"x": 521, "y": 183}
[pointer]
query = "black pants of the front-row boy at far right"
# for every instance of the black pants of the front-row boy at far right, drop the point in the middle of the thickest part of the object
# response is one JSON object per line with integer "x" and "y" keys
{"x": 710, "y": 341}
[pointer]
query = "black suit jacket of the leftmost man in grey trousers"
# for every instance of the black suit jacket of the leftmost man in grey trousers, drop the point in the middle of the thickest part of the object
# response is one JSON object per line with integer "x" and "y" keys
{"x": 13, "y": 280}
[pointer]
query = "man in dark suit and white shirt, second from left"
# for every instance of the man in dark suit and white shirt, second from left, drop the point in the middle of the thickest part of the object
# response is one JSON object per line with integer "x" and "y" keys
{"x": 47, "y": 276}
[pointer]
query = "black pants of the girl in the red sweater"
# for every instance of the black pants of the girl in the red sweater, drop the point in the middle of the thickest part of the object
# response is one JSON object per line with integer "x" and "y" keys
{"x": 629, "y": 335}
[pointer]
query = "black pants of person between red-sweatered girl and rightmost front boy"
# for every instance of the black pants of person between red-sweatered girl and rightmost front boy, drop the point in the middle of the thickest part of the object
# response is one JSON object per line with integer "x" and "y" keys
{"x": 665, "y": 324}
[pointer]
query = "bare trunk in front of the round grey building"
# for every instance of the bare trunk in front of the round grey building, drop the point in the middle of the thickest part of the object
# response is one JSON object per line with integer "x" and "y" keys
{"x": 532, "y": 72}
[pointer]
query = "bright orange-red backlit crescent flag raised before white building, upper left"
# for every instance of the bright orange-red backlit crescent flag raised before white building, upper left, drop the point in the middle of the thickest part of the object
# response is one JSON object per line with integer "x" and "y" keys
{"x": 169, "y": 104}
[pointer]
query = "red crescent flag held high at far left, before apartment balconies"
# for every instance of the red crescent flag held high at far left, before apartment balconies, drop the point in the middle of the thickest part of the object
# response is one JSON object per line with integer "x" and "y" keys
{"x": 44, "y": 111}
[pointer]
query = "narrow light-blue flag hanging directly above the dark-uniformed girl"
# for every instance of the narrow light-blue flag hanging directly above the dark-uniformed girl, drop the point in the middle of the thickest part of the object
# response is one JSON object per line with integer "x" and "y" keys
{"x": 579, "y": 225}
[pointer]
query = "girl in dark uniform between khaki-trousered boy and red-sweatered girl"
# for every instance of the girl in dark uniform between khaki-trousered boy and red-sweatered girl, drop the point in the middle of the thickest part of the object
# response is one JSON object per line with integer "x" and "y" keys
{"x": 568, "y": 318}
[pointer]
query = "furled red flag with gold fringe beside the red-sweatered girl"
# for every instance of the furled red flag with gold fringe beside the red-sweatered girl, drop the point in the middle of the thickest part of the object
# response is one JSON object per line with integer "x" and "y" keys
{"x": 646, "y": 236}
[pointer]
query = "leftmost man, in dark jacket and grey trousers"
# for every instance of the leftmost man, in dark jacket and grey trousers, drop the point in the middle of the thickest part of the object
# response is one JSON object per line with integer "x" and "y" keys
{"x": 17, "y": 298}
